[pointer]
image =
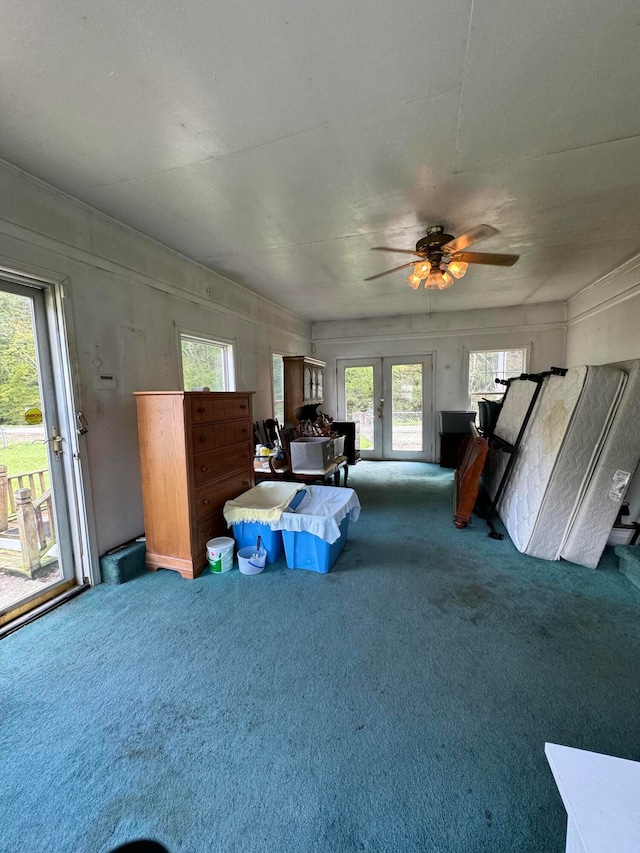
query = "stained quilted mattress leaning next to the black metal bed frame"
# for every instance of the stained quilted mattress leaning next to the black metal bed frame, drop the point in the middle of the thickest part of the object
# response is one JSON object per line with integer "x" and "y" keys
{"x": 557, "y": 455}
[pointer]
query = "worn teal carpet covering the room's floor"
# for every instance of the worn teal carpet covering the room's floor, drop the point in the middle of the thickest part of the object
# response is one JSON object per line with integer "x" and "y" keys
{"x": 399, "y": 703}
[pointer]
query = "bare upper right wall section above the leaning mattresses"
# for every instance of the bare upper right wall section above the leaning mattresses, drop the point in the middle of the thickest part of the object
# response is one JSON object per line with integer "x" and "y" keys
{"x": 604, "y": 318}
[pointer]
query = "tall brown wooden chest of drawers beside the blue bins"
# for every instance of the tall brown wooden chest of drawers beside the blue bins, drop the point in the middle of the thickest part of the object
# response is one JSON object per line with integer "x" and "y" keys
{"x": 196, "y": 452}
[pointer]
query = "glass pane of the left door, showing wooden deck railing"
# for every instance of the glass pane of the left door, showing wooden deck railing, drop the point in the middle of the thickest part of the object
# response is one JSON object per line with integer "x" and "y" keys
{"x": 28, "y": 546}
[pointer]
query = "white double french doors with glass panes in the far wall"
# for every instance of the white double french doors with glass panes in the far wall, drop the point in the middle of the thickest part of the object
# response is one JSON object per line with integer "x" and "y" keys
{"x": 391, "y": 400}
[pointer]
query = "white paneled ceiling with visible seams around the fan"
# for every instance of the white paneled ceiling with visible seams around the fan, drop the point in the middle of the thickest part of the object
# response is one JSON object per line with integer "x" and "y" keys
{"x": 277, "y": 142}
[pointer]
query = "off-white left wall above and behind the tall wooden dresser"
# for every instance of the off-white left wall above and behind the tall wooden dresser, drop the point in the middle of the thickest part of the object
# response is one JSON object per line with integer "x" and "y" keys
{"x": 127, "y": 296}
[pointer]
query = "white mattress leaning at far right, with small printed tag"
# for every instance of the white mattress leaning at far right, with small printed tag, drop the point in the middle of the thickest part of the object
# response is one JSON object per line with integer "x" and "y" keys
{"x": 592, "y": 523}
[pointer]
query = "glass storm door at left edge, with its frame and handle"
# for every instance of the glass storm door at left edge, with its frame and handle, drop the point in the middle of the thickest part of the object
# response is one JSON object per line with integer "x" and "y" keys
{"x": 36, "y": 561}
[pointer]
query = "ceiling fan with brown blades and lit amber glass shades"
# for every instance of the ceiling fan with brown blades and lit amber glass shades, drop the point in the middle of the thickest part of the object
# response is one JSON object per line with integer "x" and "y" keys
{"x": 443, "y": 257}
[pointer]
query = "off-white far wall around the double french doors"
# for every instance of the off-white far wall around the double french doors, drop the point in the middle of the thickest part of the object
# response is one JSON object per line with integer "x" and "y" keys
{"x": 449, "y": 336}
